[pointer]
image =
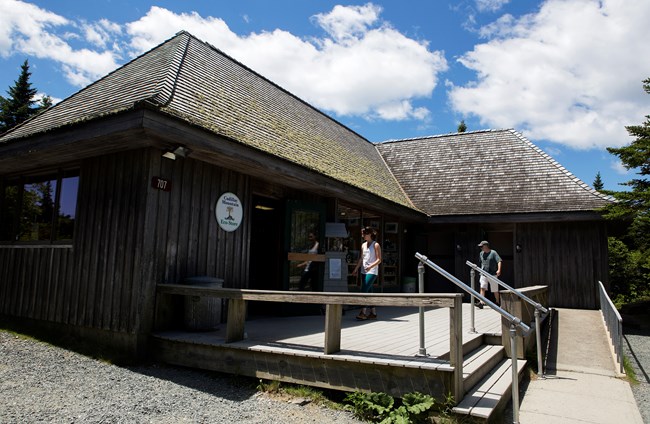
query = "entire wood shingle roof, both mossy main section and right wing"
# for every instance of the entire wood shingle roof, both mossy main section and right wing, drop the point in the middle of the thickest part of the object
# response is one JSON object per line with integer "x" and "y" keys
{"x": 475, "y": 173}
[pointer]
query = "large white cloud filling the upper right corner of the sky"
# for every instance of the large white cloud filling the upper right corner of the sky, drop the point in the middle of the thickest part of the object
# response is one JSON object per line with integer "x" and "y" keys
{"x": 570, "y": 73}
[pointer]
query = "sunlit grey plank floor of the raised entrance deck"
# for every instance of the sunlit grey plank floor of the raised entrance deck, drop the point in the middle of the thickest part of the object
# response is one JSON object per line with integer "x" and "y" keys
{"x": 390, "y": 339}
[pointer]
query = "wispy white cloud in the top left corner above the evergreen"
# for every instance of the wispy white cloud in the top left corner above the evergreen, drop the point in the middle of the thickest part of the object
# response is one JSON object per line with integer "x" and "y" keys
{"x": 30, "y": 30}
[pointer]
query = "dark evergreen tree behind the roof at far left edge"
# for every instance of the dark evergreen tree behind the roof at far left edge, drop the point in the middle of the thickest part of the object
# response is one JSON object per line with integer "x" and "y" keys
{"x": 19, "y": 106}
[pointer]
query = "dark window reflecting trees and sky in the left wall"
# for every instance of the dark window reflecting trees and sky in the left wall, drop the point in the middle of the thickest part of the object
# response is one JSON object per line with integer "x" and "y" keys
{"x": 39, "y": 208}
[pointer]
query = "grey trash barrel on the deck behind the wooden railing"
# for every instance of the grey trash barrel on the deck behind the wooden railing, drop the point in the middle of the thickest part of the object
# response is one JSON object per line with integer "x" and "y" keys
{"x": 202, "y": 313}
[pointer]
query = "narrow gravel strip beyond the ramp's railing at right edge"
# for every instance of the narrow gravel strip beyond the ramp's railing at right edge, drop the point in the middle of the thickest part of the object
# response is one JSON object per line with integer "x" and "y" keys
{"x": 636, "y": 346}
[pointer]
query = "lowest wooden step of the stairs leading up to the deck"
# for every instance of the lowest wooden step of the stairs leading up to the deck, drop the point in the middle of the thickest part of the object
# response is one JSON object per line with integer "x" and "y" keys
{"x": 492, "y": 393}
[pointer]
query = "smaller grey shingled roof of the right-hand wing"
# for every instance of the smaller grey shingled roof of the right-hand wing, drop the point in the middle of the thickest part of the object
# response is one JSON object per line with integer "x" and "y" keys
{"x": 485, "y": 172}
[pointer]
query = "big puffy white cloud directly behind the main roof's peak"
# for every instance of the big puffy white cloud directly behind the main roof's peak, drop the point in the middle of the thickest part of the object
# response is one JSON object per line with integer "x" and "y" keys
{"x": 363, "y": 67}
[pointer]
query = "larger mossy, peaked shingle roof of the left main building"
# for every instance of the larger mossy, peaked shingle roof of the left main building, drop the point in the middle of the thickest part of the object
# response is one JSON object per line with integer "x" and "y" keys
{"x": 201, "y": 85}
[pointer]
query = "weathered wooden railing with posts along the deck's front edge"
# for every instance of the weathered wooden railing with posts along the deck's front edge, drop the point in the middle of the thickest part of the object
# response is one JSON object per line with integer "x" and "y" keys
{"x": 334, "y": 302}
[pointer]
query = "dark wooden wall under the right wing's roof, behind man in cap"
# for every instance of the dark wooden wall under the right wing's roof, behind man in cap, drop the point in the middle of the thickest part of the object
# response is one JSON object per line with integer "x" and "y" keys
{"x": 568, "y": 257}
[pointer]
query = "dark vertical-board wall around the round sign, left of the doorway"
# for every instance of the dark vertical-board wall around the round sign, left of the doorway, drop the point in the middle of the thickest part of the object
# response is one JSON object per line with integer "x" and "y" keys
{"x": 128, "y": 237}
